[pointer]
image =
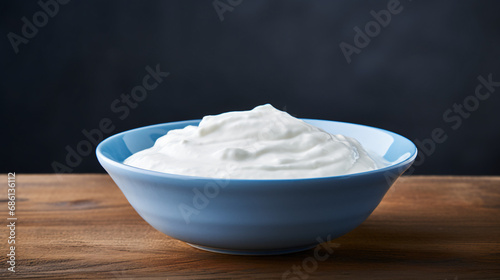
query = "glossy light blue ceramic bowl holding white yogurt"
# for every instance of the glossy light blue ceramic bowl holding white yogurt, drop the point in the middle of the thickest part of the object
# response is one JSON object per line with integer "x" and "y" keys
{"x": 255, "y": 216}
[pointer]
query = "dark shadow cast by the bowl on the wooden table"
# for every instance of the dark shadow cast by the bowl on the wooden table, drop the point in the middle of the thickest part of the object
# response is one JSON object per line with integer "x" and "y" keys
{"x": 370, "y": 244}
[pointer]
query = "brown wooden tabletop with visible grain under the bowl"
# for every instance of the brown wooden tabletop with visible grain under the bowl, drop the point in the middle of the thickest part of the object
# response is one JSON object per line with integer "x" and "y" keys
{"x": 81, "y": 226}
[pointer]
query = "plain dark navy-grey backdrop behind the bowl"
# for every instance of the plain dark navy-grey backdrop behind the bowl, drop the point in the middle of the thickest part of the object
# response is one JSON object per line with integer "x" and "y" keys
{"x": 281, "y": 52}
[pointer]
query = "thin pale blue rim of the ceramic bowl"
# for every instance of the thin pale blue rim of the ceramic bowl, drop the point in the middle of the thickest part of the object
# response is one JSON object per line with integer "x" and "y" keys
{"x": 120, "y": 165}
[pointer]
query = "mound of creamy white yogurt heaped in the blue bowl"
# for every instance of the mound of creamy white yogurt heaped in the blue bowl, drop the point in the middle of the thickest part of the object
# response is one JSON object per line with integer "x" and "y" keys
{"x": 263, "y": 143}
